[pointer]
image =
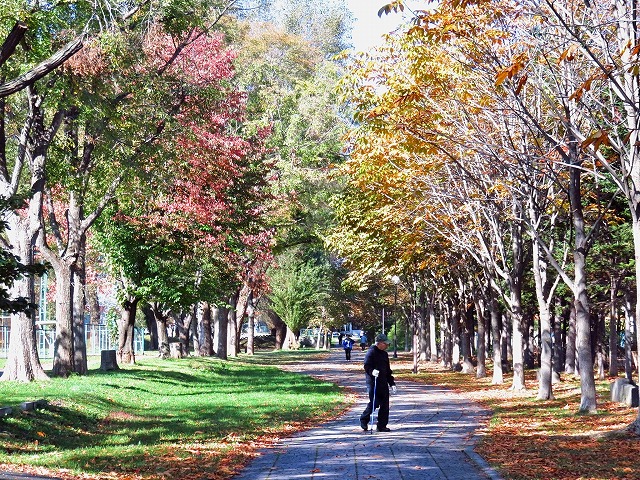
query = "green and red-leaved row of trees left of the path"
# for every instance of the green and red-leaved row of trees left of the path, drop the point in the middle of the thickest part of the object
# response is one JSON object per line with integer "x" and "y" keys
{"x": 153, "y": 147}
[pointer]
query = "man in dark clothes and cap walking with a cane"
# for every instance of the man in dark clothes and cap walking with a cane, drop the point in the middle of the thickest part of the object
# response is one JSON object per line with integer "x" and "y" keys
{"x": 379, "y": 378}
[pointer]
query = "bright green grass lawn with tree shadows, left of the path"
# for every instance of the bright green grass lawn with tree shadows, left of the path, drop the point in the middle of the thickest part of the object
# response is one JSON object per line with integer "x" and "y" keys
{"x": 188, "y": 418}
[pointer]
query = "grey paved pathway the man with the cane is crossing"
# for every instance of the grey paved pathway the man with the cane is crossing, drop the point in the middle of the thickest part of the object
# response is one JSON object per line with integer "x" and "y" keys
{"x": 432, "y": 436}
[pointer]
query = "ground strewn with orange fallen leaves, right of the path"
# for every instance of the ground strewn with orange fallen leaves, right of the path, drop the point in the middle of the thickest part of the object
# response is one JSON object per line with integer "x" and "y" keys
{"x": 529, "y": 439}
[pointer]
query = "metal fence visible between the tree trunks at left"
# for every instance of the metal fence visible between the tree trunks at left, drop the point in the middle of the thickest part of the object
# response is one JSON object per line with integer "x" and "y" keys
{"x": 97, "y": 338}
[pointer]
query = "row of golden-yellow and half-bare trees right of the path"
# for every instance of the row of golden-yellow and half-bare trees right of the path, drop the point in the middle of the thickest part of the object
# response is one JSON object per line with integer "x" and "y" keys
{"x": 495, "y": 166}
